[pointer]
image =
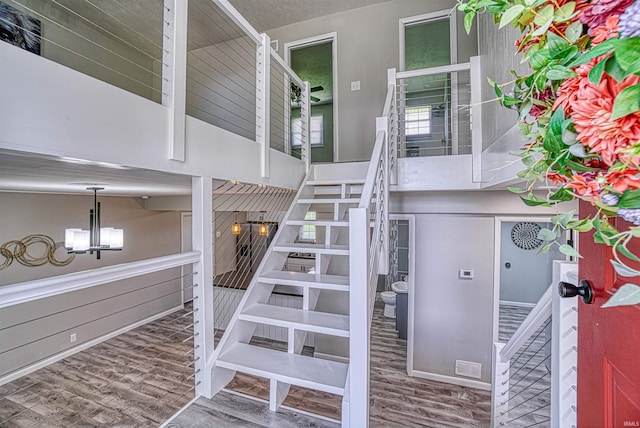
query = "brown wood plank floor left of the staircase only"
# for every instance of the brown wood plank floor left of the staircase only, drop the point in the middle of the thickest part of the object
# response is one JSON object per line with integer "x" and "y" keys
{"x": 136, "y": 379}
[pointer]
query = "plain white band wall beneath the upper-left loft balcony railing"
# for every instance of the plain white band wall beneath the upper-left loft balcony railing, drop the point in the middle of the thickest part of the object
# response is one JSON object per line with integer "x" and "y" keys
{"x": 71, "y": 114}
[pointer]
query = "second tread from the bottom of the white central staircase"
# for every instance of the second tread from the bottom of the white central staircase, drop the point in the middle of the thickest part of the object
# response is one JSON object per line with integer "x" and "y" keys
{"x": 317, "y": 322}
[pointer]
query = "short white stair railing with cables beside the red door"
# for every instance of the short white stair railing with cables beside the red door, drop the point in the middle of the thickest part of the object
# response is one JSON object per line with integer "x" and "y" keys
{"x": 534, "y": 375}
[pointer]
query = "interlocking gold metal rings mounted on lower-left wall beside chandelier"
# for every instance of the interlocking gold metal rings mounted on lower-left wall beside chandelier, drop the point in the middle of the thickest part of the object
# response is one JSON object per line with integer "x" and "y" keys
{"x": 18, "y": 250}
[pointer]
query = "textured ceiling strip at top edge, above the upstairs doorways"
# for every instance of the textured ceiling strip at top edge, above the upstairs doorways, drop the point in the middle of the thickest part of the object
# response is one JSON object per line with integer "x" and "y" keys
{"x": 268, "y": 14}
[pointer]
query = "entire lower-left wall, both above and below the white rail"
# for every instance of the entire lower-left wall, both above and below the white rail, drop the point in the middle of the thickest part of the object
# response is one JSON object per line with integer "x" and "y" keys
{"x": 34, "y": 331}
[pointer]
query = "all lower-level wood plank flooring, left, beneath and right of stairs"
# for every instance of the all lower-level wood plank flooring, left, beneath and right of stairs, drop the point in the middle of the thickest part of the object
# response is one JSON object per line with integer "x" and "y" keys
{"x": 140, "y": 379}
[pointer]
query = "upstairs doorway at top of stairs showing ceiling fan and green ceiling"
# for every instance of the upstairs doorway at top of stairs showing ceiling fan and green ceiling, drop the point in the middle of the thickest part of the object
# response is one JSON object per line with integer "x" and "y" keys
{"x": 314, "y": 60}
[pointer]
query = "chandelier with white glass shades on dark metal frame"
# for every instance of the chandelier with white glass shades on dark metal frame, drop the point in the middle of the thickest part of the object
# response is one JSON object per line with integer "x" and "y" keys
{"x": 97, "y": 238}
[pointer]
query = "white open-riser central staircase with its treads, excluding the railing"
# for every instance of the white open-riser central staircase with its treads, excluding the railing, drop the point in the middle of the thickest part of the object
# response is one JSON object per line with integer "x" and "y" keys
{"x": 331, "y": 199}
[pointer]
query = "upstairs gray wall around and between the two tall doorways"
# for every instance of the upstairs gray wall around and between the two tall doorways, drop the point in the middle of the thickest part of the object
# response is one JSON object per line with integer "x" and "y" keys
{"x": 368, "y": 45}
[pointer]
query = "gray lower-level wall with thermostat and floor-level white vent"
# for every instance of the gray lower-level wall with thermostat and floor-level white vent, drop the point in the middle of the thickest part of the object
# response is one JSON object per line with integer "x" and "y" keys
{"x": 455, "y": 230}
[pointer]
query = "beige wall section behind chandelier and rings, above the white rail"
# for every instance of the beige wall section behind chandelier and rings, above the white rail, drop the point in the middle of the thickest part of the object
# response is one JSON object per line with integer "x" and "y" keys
{"x": 147, "y": 234}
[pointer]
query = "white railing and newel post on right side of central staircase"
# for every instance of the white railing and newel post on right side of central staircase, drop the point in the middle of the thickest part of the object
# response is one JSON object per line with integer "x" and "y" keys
{"x": 368, "y": 245}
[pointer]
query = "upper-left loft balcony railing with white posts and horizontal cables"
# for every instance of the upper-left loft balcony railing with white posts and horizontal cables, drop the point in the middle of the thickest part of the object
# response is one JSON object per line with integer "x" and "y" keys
{"x": 199, "y": 58}
